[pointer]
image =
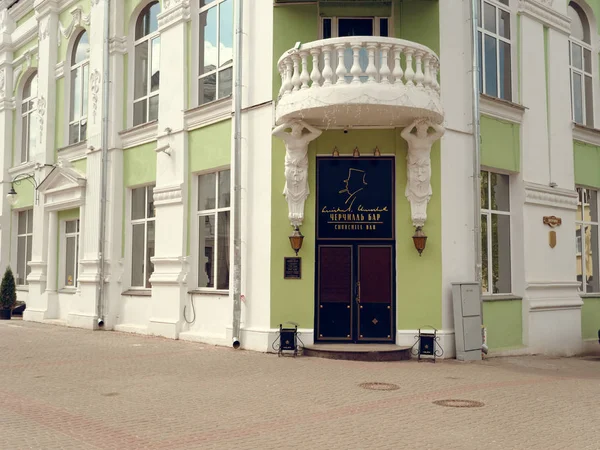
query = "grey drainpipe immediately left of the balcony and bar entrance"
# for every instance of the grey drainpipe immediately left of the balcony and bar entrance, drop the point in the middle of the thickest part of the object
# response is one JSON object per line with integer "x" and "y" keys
{"x": 237, "y": 181}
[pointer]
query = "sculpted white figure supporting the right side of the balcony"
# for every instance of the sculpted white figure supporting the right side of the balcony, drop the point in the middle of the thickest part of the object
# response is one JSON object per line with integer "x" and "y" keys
{"x": 418, "y": 168}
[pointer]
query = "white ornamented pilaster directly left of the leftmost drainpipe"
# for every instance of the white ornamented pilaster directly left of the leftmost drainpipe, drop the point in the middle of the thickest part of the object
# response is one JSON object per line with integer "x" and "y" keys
{"x": 89, "y": 275}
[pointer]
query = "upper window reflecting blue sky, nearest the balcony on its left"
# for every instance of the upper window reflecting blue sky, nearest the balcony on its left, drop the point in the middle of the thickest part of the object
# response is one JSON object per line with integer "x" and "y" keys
{"x": 216, "y": 50}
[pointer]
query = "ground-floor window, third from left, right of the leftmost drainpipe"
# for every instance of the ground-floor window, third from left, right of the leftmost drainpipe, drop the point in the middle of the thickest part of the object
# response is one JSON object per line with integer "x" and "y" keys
{"x": 142, "y": 236}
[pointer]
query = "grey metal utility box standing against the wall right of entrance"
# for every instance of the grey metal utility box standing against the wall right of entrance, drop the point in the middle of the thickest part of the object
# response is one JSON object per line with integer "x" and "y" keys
{"x": 467, "y": 320}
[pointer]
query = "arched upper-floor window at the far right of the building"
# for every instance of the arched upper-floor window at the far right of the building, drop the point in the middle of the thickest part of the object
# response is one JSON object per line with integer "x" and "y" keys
{"x": 580, "y": 63}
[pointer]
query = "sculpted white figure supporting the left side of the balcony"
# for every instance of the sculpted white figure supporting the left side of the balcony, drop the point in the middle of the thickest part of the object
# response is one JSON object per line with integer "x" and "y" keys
{"x": 296, "y": 165}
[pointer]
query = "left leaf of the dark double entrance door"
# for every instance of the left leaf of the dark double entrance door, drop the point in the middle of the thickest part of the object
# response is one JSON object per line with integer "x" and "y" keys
{"x": 334, "y": 293}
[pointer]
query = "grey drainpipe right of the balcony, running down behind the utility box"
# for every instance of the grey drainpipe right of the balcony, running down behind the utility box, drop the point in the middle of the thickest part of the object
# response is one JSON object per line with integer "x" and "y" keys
{"x": 476, "y": 149}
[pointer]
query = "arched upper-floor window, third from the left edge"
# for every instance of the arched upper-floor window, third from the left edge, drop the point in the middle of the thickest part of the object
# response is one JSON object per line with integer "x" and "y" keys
{"x": 147, "y": 65}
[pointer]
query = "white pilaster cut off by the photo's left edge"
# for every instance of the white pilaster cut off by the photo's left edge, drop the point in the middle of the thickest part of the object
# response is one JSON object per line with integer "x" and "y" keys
{"x": 7, "y": 106}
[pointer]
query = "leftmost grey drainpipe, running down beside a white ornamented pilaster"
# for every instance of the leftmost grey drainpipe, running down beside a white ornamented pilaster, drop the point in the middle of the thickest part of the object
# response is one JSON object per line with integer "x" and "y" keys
{"x": 104, "y": 168}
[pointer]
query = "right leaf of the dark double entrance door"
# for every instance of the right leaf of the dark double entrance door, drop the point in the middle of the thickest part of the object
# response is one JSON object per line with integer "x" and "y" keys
{"x": 375, "y": 272}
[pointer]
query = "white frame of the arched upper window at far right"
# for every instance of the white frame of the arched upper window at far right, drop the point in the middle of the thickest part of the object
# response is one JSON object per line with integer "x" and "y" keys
{"x": 582, "y": 72}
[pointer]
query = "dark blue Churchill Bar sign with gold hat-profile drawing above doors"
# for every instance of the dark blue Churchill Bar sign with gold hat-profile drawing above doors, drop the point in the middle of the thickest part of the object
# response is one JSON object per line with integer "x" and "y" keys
{"x": 355, "y": 198}
